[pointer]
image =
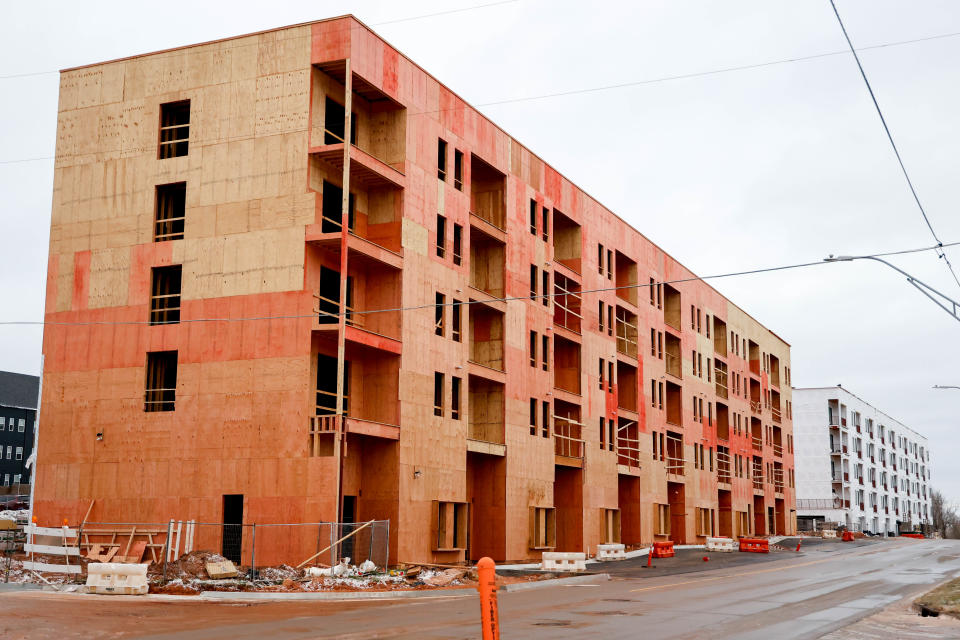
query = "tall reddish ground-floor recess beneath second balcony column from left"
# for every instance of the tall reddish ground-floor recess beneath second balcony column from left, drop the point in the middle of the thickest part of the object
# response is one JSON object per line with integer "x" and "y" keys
{"x": 487, "y": 497}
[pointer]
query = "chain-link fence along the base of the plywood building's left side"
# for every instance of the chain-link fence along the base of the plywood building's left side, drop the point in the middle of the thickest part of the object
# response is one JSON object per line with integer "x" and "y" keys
{"x": 251, "y": 547}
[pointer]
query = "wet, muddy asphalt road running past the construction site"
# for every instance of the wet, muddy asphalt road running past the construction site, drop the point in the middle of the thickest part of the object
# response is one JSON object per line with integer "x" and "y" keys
{"x": 823, "y": 589}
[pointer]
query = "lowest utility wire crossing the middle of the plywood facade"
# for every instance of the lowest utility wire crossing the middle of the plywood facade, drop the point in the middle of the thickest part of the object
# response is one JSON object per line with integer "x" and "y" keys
{"x": 482, "y": 301}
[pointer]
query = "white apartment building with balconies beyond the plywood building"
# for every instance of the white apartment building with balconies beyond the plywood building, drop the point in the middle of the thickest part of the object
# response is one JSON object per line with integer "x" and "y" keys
{"x": 857, "y": 466}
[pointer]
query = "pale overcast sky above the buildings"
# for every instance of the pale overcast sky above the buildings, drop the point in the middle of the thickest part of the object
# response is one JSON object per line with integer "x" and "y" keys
{"x": 754, "y": 168}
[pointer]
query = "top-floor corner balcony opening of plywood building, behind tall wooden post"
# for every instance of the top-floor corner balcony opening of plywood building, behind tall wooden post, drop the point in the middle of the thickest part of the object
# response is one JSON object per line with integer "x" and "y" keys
{"x": 377, "y": 121}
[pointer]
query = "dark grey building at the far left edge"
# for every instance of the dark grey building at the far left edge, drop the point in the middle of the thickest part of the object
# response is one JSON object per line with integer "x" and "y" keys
{"x": 18, "y": 412}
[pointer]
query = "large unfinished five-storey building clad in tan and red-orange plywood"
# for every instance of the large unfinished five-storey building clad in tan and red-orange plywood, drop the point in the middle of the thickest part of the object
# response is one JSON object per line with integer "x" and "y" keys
{"x": 521, "y": 369}
